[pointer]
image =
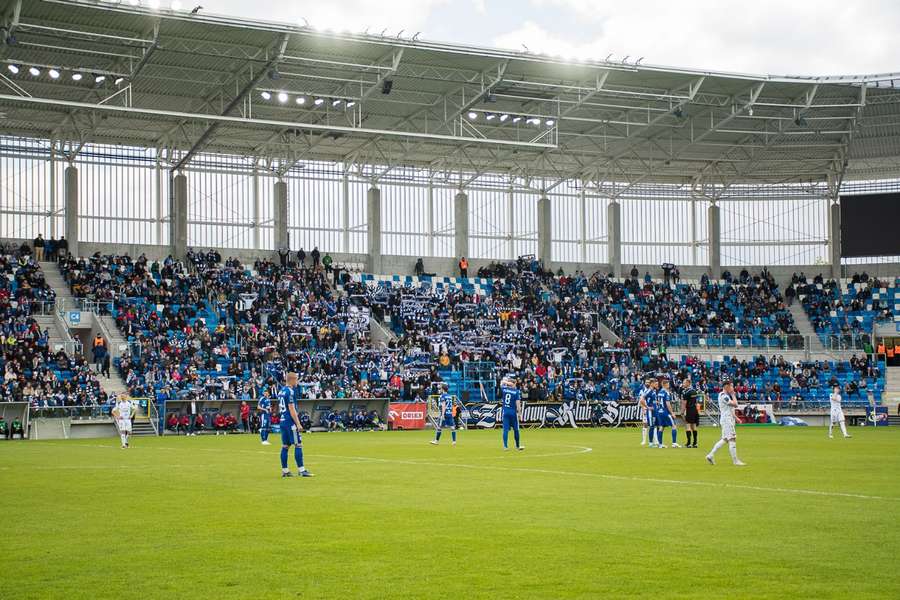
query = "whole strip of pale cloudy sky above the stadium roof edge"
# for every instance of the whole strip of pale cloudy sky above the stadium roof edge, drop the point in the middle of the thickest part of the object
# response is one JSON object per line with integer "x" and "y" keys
{"x": 776, "y": 37}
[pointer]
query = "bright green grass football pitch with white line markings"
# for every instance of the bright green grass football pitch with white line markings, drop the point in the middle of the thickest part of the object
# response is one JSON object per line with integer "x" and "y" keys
{"x": 578, "y": 514}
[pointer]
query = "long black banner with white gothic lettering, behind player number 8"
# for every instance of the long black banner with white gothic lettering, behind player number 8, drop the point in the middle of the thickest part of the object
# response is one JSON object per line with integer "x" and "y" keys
{"x": 566, "y": 414}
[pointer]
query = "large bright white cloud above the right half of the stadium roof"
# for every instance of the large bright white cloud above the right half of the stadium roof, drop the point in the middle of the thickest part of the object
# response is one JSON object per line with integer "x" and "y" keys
{"x": 765, "y": 36}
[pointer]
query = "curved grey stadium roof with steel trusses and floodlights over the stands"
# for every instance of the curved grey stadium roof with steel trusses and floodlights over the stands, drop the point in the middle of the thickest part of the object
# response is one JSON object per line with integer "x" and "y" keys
{"x": 183, "y": 83}
